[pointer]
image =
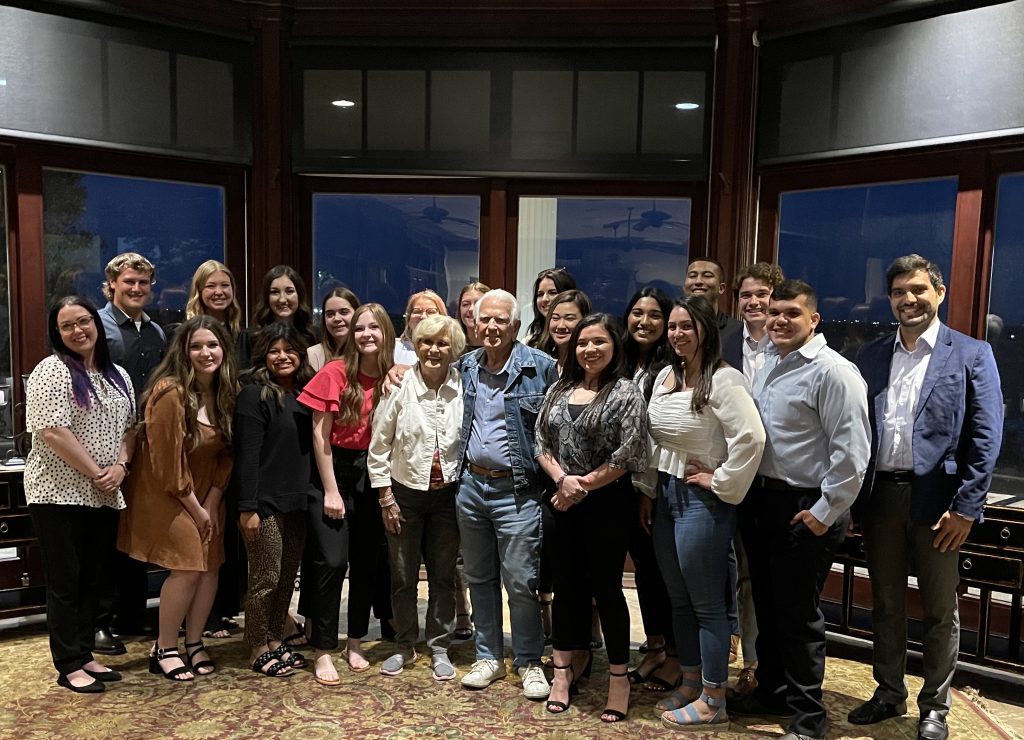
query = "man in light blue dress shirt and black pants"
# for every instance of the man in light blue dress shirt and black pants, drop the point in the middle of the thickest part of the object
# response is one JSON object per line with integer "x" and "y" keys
{"x": 815, "y": 407}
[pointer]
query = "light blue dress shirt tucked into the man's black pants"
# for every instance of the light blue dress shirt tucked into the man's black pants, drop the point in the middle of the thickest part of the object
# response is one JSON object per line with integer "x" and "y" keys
{"x": 814, "y": 404}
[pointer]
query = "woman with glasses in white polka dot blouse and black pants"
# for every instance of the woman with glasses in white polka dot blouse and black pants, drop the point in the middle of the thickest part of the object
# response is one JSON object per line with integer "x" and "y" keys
{"x": 80, "y": 407}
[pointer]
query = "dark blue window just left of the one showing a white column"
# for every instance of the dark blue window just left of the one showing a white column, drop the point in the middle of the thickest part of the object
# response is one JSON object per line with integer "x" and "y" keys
{"x": 386, "y": 248}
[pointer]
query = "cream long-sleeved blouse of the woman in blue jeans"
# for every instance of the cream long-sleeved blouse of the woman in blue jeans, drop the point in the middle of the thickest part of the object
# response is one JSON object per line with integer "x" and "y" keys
{"x": 727, "y": 436}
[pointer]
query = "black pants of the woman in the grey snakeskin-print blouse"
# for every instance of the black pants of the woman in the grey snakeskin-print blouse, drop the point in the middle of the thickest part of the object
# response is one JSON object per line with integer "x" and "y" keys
{"x": 589, "y": 554}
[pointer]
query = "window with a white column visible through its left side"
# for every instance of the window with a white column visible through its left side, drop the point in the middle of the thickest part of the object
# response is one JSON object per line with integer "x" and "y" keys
{"x": 612, "y": 246}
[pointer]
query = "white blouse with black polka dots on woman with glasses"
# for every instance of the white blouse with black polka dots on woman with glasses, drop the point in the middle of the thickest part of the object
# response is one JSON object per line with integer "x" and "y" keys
{"x": 101, "y": 429}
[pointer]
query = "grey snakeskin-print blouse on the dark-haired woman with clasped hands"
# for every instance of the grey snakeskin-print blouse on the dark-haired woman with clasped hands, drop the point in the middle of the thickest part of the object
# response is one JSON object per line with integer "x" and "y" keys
{"x": 616, "y": 433}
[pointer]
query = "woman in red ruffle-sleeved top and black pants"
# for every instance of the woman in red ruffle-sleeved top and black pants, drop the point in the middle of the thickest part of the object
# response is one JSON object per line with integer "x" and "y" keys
{"x": 345, "y": 524}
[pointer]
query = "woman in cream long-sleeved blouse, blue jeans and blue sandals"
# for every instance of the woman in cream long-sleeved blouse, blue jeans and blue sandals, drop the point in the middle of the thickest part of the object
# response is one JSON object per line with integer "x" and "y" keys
{"x": 708, "y": 441}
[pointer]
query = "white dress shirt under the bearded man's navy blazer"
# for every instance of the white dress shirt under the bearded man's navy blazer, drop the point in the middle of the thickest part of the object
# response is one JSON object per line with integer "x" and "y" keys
{"x": 907, "y": 375}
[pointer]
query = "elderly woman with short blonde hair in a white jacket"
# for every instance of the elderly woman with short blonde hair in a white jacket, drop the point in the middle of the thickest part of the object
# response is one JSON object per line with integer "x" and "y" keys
{"x": 414, "y": 468}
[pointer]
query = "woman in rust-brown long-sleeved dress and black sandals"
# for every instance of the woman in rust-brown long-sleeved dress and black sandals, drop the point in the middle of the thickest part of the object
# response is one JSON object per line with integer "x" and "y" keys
{"x": 183, "y": 466}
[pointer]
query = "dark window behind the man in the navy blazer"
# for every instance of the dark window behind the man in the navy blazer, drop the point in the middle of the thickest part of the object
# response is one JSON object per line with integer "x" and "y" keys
{"x": 841, "y": 241}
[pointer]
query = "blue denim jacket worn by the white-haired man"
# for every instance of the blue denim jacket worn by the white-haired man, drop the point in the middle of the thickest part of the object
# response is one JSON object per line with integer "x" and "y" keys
{"x": 531, "y": 374}
